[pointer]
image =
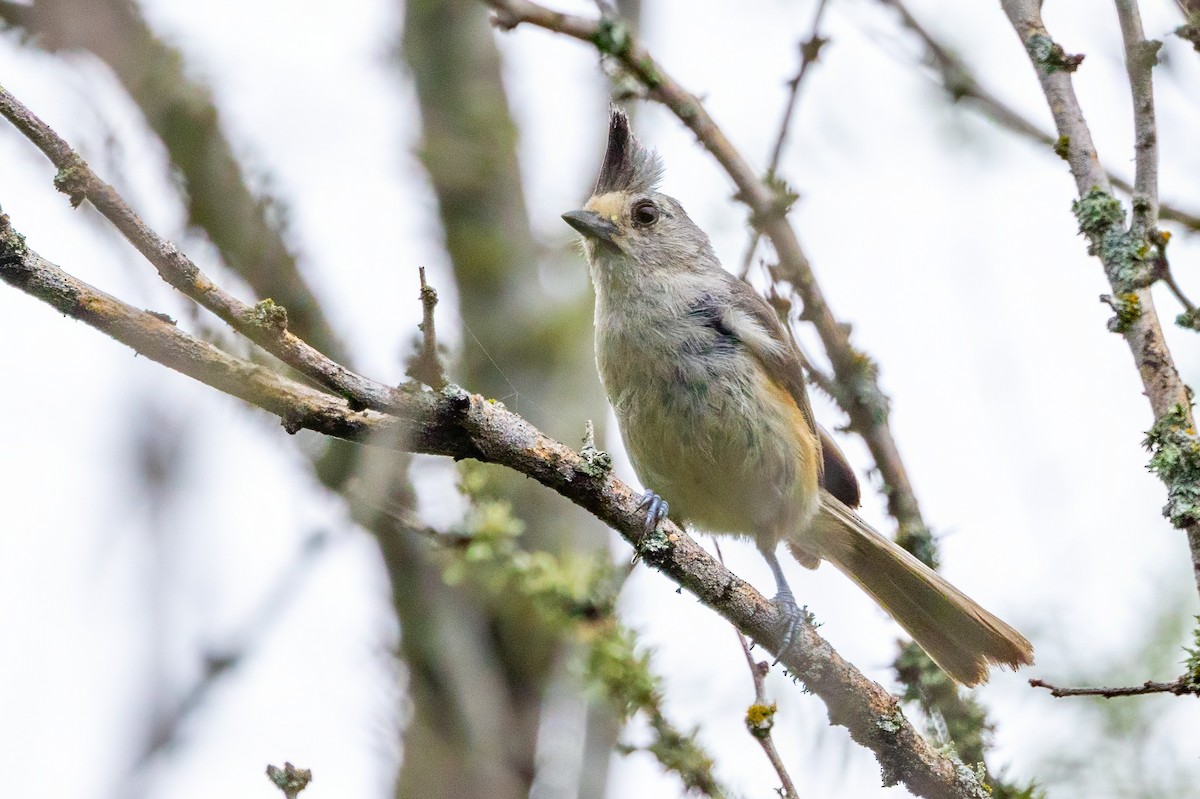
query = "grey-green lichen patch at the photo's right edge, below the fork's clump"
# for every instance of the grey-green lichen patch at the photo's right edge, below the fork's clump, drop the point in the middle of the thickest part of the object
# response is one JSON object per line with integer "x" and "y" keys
{"x": 1175, "y": 459}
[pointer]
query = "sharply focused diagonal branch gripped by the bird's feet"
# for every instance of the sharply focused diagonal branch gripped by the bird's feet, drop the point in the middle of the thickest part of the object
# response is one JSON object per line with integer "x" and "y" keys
{"x": 457, "y": 424}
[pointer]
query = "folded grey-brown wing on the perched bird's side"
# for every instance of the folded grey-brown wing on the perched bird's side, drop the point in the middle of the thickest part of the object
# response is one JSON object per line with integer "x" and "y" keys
{"x": 772, "y": 344}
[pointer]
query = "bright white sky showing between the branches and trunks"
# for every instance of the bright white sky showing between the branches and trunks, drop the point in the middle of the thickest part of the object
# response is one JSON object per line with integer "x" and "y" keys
{"x": 949, "y": 244}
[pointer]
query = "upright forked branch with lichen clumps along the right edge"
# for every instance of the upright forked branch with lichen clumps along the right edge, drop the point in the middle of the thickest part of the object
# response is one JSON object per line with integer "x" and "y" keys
{"x": 1125, "y": 253}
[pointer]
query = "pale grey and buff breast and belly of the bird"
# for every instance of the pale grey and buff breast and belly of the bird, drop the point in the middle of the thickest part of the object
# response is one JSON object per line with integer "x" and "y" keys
{"x": 706, "y": 428}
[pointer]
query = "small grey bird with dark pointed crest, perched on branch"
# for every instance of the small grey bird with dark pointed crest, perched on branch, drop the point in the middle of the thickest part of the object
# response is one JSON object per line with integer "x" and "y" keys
{"x": 712, "y": 404}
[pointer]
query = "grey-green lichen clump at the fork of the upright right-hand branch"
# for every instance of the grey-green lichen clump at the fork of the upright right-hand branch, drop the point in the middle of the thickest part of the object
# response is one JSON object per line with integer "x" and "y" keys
{"x": 1127, "y": 257}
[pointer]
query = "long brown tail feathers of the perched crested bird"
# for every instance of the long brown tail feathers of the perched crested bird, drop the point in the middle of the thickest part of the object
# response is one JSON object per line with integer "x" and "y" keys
{"x": 958, "y": 634}
